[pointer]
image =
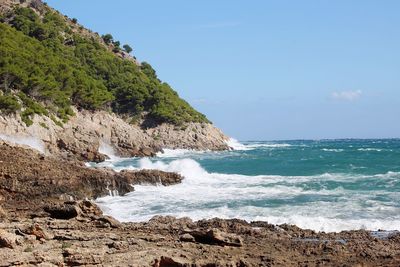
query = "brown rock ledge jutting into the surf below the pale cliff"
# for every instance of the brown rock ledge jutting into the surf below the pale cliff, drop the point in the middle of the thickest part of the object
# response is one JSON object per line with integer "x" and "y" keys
{"x": 29, "y": 179}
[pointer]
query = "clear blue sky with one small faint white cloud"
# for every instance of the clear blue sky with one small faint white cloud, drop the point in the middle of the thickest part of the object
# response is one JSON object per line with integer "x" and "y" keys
{"x": 267, "y": 70}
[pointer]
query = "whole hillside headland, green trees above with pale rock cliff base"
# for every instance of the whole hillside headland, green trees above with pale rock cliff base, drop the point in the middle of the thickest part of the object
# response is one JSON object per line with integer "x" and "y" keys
{"x": 77, "y": 92}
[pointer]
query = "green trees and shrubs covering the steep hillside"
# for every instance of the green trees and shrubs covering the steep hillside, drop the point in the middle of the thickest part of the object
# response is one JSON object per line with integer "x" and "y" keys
{"x": 47, "y": 66}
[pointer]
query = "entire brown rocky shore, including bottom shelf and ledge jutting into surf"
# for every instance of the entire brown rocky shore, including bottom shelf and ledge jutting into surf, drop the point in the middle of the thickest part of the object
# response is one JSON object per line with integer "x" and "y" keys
{"x": 46, "y": 221}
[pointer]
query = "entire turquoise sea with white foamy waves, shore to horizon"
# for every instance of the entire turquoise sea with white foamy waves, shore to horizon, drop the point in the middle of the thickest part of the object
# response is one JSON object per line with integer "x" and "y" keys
{"x": 325, "y": 185}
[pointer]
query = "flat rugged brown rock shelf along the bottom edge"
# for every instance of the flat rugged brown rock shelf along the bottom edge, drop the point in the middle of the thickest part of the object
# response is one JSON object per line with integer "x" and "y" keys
{"x": 91, "y": 239}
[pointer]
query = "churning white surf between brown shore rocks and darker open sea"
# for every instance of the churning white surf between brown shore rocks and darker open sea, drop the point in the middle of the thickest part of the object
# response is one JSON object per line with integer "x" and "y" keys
{"x": 272, "y": 198}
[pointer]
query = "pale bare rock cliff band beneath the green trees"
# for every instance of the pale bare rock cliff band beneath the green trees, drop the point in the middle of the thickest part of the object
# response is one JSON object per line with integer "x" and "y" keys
{"x": 89, "y": 135}
